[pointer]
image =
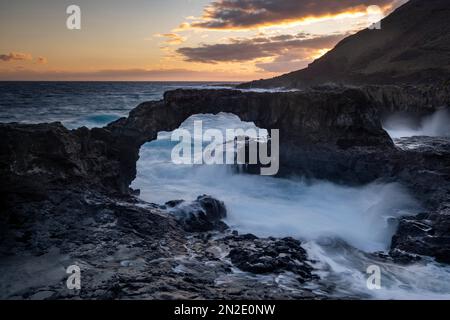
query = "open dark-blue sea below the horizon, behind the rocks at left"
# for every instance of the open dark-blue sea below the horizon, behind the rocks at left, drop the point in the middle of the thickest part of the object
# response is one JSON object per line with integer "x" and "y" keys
{"x": 76, "y": 104}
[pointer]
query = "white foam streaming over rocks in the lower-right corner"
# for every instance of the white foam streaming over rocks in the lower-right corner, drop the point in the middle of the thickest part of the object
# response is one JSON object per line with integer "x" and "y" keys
{"x": 345, "y": 268}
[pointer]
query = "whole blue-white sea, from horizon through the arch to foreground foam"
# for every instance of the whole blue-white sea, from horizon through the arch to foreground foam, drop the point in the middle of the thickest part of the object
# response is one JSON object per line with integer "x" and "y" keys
{"x": 340, "y": 226}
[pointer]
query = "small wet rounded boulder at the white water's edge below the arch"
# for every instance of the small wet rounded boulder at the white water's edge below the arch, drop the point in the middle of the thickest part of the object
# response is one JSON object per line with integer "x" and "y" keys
{"x": 202, "y": 215}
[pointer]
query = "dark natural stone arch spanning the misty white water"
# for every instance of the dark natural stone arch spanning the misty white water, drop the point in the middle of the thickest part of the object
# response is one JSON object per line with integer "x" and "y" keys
{"x": 317, "y": 129}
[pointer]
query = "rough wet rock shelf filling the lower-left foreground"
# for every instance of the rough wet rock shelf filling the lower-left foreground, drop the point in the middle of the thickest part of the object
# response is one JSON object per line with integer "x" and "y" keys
{"x": 125, "y": 249}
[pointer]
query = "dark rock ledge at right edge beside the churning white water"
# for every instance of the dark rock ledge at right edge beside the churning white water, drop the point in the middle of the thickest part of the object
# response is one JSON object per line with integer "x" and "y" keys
{"x": 426, "y": 171}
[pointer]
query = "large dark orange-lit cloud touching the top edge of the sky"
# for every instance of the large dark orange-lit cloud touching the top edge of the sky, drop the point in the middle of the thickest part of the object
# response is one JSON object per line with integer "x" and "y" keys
{"x": 246, "y": 14}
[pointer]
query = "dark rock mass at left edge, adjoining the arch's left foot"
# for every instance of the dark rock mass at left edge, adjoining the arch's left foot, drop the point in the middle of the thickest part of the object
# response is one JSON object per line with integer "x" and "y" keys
{"x": 34, "y": 158}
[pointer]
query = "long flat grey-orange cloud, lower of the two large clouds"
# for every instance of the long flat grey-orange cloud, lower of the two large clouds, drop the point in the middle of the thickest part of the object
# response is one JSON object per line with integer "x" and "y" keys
{"x": 249, "y": 49}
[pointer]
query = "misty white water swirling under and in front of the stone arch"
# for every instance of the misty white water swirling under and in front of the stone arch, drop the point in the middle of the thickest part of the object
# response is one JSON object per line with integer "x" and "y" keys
{"x": 270, "y": 206}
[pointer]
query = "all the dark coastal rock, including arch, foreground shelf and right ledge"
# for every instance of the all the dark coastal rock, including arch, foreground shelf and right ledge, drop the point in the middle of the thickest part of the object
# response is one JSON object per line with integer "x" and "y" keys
{"x": 65, "y": 198}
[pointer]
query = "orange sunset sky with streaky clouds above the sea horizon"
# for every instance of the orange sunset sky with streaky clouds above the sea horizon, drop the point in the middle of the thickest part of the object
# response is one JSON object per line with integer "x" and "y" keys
{"x": 175, "y": 40}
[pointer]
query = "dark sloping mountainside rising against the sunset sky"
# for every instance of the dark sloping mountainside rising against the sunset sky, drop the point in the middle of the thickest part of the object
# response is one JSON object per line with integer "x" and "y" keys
{"x": 412, "y": 47}
